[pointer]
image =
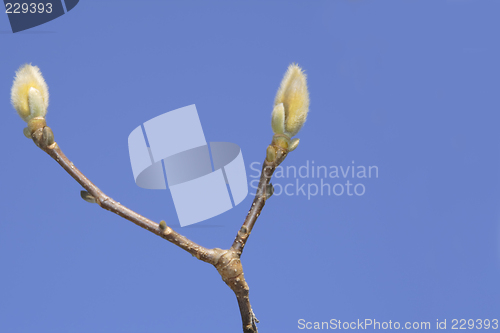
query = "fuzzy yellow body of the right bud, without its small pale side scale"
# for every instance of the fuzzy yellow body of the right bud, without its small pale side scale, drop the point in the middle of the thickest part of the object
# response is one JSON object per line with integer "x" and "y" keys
{"x": 295, "y": 98}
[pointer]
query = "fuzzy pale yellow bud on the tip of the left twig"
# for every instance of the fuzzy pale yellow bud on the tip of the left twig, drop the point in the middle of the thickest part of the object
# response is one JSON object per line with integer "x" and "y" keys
{"x": 29, "y": 94}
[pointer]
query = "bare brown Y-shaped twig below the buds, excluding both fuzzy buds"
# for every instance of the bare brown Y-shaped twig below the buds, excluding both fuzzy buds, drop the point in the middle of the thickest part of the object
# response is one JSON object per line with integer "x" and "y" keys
{"x": 227, "y": 262}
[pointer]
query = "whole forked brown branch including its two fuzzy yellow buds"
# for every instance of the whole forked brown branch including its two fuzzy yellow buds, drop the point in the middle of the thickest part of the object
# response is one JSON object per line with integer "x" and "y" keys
{"x": 29, "y": 96}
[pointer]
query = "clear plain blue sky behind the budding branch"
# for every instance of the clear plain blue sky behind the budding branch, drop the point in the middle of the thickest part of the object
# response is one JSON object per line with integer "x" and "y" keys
{"x": 410, "y": 87}
